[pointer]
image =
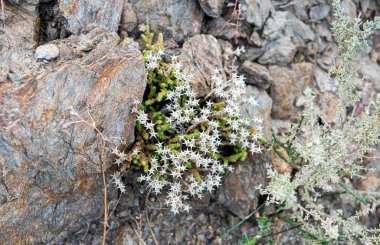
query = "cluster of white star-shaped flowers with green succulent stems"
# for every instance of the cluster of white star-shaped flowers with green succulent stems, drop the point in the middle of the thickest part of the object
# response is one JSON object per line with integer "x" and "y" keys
{"x": 185, "y": 143}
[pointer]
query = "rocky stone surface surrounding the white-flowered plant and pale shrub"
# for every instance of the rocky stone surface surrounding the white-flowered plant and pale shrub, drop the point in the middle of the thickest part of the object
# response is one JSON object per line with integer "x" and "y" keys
{"x": 51, "y": 193}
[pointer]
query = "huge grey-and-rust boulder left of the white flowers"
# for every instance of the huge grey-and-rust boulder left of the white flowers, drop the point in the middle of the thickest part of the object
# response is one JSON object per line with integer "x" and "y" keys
{"x": 50, "y": 171}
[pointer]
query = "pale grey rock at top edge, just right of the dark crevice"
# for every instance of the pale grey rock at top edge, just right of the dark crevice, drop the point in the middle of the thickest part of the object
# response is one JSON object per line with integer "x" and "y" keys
{"x": 83, "y": 16}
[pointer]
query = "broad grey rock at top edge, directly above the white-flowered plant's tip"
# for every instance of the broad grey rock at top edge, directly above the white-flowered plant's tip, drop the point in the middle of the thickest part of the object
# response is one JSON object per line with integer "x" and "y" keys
{"x": 182, "y": 18}
